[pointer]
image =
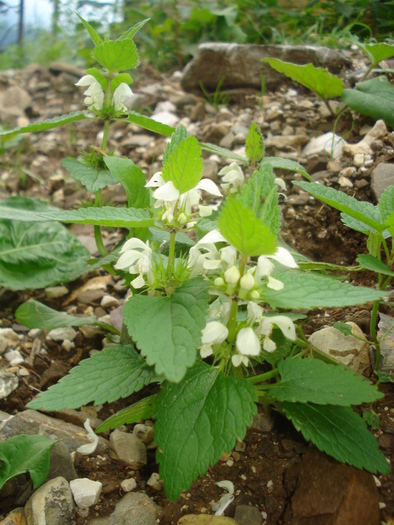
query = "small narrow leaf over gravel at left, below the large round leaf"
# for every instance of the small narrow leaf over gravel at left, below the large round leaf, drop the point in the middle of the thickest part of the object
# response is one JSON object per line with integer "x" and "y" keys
{"x": 34, "y": 314}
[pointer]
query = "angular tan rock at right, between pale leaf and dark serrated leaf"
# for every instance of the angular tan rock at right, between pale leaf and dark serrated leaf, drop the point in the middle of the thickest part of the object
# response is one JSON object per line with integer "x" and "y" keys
{"x": 346, "y": 349}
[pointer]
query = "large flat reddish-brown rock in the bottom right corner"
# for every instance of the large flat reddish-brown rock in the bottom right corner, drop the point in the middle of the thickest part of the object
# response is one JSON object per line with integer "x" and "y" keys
{"x": 332, "y": 493}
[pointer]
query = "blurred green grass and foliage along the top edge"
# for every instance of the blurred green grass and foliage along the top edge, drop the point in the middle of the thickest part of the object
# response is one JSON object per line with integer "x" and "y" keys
{"x": 177, "y": 27}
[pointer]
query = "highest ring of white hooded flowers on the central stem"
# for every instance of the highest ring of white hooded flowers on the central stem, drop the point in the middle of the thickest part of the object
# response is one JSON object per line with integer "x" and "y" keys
{"x": 168, "y": 195}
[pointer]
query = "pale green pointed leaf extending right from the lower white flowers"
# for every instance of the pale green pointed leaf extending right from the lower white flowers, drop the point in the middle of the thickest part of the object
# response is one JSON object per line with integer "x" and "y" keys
{"x": 311, "y": 290}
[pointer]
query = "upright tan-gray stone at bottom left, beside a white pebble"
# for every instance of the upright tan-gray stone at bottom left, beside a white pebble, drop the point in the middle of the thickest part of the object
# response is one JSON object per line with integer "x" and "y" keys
{"x": 51, "y": 504}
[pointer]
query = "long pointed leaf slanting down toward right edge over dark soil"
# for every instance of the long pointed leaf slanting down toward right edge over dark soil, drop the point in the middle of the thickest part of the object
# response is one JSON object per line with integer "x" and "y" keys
{"x": 340, "y": 201}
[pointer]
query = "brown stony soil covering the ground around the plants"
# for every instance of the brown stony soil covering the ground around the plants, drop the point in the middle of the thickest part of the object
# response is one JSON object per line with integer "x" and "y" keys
{"x": 277, "y": 478}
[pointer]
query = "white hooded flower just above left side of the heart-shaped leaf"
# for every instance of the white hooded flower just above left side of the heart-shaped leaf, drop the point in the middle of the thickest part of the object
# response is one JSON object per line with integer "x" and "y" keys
{"x": 136, "y": 258}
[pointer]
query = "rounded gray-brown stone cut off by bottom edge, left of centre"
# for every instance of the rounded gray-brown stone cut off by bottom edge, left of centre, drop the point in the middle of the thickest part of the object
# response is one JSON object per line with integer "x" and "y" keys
{"x": 132, "y": 509}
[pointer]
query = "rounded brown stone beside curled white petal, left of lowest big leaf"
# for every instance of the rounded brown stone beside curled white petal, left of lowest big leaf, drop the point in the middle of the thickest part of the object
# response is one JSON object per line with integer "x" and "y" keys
{"x": 127, "y": 449}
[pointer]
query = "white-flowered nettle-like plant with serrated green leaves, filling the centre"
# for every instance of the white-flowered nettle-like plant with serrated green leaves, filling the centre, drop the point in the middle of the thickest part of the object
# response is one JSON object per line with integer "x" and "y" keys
{"x": 224, "y": 337}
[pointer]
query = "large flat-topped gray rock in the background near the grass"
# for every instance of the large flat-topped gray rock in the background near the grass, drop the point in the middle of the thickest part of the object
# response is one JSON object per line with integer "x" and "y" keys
{"x": 241, "y": 64}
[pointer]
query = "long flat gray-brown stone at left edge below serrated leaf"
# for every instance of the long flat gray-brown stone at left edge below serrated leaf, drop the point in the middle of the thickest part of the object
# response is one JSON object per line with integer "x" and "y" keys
{"x": 32, "y": 422}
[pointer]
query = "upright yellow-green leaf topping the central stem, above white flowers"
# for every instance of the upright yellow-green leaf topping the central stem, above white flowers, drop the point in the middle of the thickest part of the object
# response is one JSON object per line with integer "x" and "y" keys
{"x": 183, "y": 165}
